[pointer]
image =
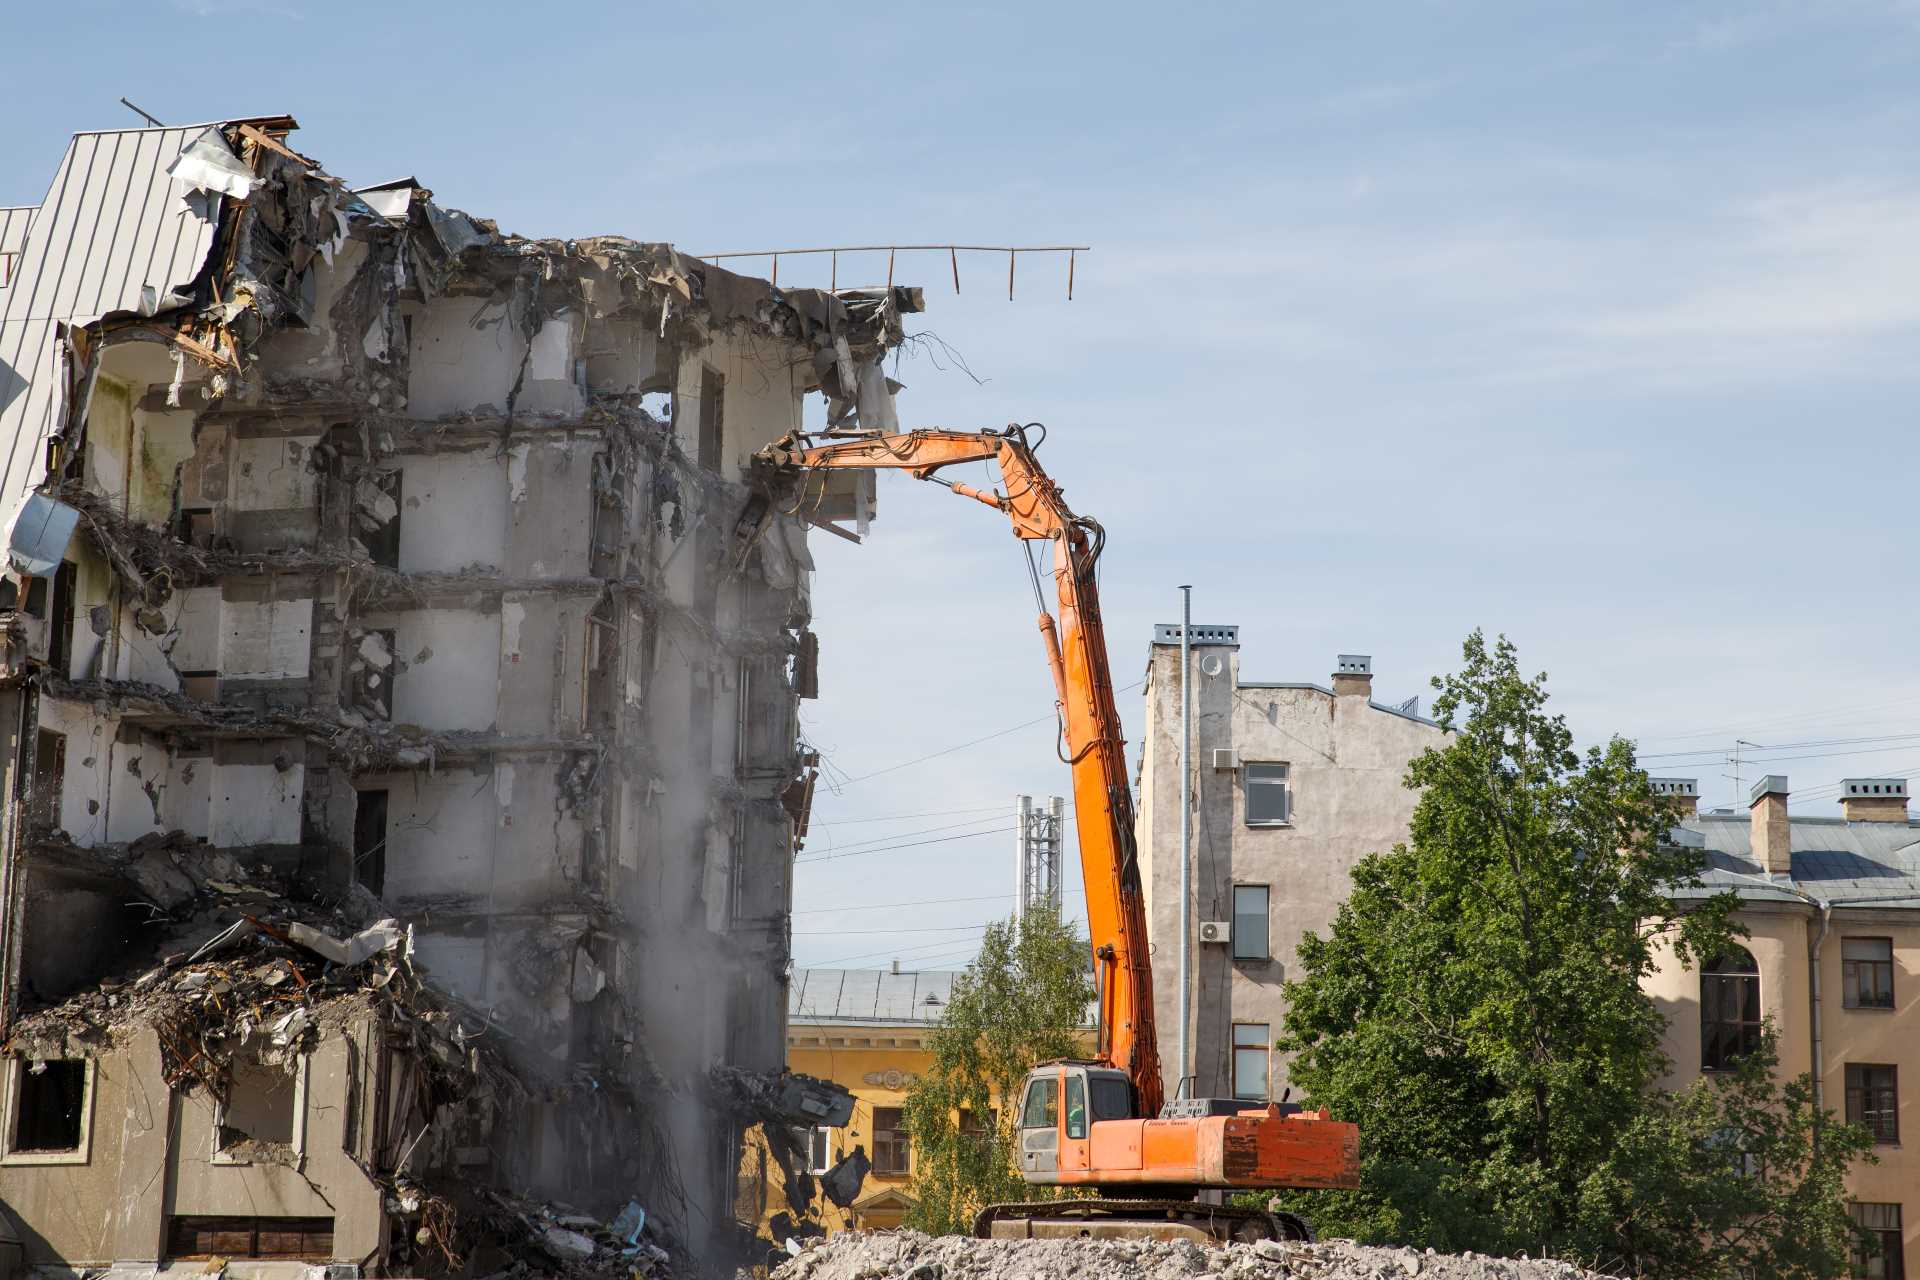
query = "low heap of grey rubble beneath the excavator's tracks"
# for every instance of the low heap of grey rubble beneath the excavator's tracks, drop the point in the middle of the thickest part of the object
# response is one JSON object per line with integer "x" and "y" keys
{"x": 911, "y": 1256}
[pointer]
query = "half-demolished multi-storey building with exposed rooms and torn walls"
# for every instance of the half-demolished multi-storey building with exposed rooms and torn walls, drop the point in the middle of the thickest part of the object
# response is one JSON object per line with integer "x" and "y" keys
{"x": 412, "y": 567}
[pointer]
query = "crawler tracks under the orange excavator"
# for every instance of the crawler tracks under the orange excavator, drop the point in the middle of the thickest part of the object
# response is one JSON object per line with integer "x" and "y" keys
{"x": 1138, "y": 1220}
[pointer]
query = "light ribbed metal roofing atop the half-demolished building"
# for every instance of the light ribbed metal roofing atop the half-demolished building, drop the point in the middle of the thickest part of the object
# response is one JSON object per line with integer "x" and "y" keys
{"x": 112, "y": 225}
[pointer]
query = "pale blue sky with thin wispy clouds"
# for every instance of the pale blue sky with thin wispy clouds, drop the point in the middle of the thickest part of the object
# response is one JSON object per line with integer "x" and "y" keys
{"x": 1593, "y": 325}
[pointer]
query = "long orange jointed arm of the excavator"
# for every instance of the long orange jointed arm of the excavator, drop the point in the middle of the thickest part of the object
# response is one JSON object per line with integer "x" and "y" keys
{"x": 1084, "y": 690}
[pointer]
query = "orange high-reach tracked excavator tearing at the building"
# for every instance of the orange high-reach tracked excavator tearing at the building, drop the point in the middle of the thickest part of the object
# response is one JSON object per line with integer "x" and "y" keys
{"x": 1161, "y": 1170}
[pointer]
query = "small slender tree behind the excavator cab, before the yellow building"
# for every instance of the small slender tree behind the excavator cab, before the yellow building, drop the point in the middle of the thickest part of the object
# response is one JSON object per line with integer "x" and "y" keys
{"x": 1019, "y": 1005}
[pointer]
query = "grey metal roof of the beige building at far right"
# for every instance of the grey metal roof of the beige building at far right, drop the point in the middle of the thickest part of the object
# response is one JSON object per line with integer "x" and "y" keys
{"x": 1835, "y": 861}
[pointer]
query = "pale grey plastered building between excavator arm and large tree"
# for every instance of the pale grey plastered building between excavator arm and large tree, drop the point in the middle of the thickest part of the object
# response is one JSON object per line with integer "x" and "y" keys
{"x": 1293, "y": 784}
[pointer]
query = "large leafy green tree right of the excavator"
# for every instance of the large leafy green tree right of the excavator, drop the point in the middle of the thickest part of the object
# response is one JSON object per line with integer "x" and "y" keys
{"x": 1477, "y": 1007}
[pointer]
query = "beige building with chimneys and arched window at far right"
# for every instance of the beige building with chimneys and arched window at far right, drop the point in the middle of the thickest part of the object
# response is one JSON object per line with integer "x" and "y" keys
{"x": 1835, "y": 962}
